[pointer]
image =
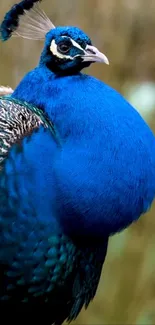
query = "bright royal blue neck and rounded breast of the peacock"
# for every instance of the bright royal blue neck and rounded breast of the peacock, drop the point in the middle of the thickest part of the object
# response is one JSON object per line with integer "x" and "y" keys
{"x": 103, "y": 177}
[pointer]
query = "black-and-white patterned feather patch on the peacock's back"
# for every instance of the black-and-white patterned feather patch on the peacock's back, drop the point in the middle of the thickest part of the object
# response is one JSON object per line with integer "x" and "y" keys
{"x": 17, "y": 120}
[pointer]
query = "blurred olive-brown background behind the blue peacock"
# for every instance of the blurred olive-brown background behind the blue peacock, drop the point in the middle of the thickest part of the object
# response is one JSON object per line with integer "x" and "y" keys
{"x": 124, "y": 30}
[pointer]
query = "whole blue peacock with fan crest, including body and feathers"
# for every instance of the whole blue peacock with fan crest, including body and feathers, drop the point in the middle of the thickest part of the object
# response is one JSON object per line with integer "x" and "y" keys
{"x": 77, "y": 165}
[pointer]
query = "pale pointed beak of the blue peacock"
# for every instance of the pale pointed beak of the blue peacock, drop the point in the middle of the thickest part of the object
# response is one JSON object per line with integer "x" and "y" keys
{"x": 92, "y": 54}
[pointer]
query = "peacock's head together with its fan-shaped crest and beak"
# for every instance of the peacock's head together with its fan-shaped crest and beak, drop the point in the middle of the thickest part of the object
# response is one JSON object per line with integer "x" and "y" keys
{"x": 67, "y": 49}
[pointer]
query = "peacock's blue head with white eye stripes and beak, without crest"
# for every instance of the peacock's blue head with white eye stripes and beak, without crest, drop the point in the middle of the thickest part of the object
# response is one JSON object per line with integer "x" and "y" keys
{"x": 69, "y": 49}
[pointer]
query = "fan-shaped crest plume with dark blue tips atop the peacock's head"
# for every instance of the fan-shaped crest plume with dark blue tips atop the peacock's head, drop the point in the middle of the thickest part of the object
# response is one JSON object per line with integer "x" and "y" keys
{"x": 26, "y": 19}
